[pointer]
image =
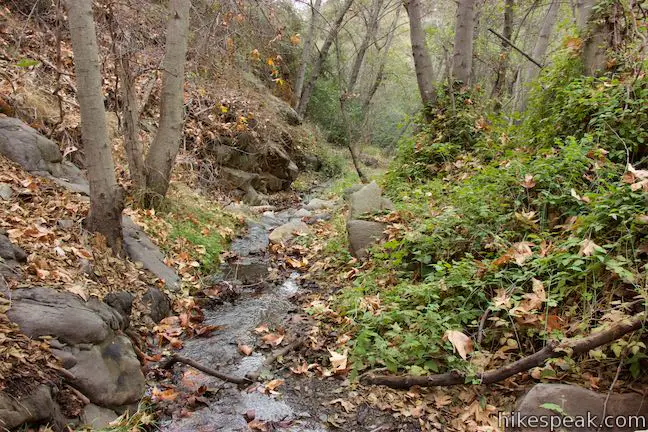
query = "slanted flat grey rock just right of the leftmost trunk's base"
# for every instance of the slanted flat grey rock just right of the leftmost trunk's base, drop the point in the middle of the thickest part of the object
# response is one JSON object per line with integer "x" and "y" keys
{"x": 140, "y": 248}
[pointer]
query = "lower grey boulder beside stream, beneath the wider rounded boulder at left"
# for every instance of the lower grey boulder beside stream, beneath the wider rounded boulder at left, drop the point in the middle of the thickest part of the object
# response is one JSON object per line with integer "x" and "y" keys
{"x": 109, "y": 373}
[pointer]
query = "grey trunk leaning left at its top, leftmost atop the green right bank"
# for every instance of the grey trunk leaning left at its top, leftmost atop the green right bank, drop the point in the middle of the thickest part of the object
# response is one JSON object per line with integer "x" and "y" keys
{"x": 422, "y": 60}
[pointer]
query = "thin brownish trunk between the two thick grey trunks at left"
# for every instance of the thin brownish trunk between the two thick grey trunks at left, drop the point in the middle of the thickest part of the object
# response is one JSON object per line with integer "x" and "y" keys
{"x": 130, "y": 112}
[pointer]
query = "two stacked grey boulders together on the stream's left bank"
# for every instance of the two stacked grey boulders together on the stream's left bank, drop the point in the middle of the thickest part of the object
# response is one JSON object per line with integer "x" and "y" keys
{"x": 85, "y": 337}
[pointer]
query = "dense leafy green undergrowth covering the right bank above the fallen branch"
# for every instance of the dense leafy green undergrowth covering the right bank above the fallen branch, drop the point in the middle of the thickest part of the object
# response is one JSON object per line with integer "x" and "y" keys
{"x": 536, "y": 211}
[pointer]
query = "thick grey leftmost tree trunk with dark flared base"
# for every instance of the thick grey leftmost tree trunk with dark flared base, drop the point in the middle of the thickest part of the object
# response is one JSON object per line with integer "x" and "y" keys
{"x": 106, "y": 197}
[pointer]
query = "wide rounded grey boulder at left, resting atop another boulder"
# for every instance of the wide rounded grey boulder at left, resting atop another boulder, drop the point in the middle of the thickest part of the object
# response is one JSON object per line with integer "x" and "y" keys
{"x": 41, "y": 311}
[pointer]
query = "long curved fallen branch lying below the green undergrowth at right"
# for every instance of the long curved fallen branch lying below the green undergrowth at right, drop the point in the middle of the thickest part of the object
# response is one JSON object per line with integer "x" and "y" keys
{"x": 553, "y": 349}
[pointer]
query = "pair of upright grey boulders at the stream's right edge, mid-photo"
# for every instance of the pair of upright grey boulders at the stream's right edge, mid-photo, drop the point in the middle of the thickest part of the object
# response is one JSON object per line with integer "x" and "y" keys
{"x": 364, "y": 201}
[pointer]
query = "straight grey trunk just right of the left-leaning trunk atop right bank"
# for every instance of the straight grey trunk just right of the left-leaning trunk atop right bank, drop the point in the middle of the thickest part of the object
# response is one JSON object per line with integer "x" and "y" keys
{"x": 463, "y": 44}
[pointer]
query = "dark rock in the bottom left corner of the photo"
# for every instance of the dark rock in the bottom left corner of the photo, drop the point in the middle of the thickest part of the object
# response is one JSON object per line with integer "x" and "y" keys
{"x": 36, "y": 406}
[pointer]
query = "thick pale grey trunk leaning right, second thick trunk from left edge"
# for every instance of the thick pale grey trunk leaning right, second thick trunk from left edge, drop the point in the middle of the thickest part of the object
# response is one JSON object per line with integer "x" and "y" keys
{"x": 161, "y": 156}
